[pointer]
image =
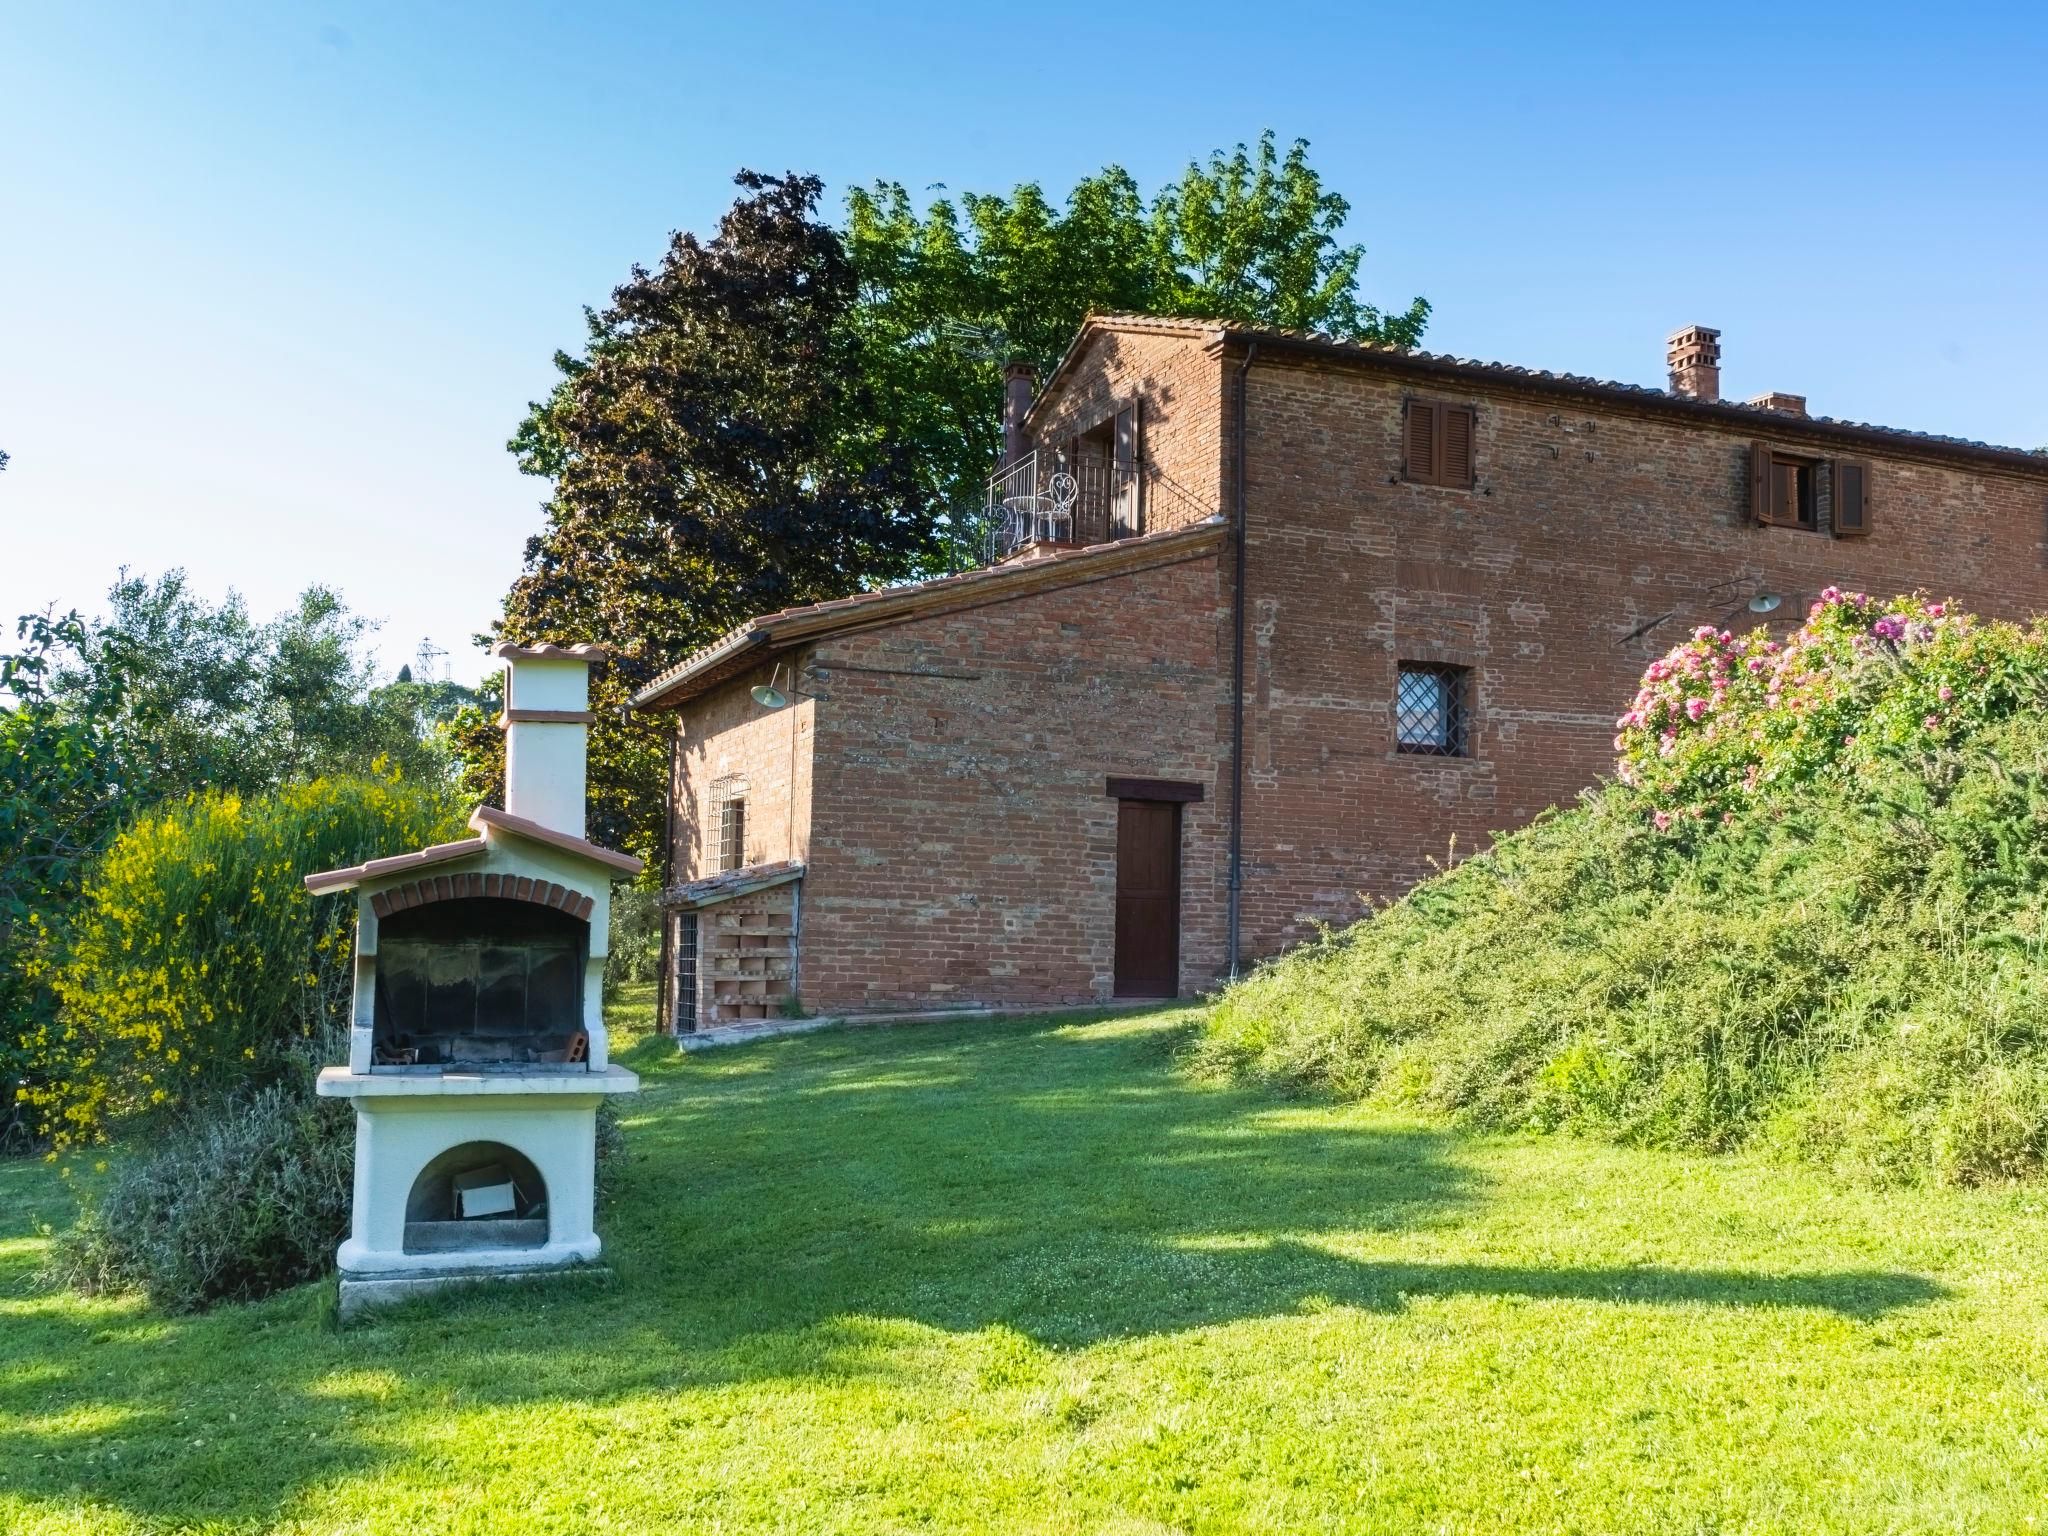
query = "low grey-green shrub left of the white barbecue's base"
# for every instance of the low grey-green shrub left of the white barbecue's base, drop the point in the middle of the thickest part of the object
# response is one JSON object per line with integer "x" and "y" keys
{"x": 228, "y": 1203}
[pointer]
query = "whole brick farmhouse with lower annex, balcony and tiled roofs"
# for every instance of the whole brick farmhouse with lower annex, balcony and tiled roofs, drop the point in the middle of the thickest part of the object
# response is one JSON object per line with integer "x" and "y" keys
{"x": 1297, "y": 620}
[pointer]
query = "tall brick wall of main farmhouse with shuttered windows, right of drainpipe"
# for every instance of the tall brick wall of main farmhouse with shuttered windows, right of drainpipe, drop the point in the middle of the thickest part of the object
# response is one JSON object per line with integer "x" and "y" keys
{"x": 1584, "y": 523}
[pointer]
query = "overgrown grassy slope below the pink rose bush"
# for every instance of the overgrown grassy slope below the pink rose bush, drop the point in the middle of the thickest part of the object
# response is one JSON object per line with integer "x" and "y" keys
{"x": 1852, "y": 972}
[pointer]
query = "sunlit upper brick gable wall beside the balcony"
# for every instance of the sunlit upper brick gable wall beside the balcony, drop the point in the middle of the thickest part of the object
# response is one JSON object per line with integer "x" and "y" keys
{"x": 1179, "y": 384}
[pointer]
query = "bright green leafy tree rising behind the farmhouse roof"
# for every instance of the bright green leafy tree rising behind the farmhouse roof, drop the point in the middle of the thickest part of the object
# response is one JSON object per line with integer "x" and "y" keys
{"x": 957, "y": 290}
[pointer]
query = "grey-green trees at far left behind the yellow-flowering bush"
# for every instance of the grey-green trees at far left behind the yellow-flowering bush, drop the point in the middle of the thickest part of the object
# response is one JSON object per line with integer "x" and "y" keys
{"x": 165, "y": 699}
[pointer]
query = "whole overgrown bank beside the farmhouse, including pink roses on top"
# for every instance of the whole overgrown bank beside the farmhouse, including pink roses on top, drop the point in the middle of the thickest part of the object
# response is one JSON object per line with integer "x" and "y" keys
{"x": 1807, "y": 914}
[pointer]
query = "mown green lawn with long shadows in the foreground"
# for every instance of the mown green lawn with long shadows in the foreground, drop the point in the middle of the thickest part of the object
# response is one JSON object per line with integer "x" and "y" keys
{"x": 1029, "y": 1277}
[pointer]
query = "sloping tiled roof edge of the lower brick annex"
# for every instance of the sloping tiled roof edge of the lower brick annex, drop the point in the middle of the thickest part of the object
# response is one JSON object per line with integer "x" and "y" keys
{"x": 779, "y": 632}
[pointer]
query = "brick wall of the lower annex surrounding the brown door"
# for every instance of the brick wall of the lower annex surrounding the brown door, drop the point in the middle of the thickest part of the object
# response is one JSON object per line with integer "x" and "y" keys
{"x": 966, "y": 849}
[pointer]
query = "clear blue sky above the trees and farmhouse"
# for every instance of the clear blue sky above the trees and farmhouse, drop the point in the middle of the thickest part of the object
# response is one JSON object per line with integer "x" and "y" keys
{"x": 278, "y": 282}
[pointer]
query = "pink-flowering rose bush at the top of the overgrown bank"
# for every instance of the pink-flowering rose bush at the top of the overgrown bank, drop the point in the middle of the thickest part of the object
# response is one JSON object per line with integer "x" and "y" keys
{"x": 1723, "y": 720}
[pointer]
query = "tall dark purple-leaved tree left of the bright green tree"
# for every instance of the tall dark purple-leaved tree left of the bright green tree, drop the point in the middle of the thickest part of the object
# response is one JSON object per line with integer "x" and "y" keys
{"x": 720, "y": 454}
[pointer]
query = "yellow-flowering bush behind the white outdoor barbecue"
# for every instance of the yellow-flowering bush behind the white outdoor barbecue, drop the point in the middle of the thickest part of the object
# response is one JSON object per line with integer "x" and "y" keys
{"x": 200, "y": 964}
